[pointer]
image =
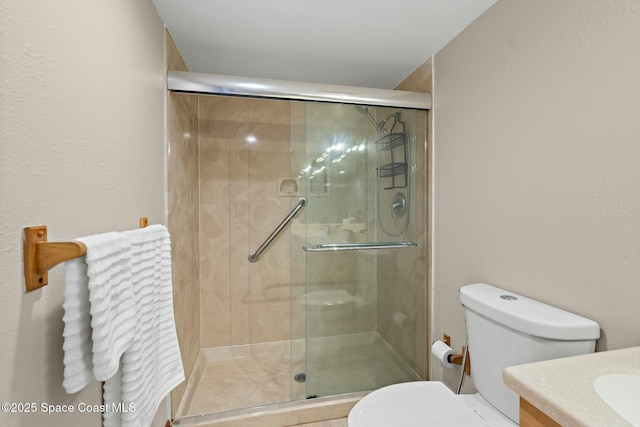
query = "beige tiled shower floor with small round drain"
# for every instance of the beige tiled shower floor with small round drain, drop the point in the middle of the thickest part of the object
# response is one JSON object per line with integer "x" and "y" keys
{"x": 234, "y": 378}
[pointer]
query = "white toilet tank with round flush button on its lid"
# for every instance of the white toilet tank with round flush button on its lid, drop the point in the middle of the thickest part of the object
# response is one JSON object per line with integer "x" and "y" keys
{"x": 506, "y": 329}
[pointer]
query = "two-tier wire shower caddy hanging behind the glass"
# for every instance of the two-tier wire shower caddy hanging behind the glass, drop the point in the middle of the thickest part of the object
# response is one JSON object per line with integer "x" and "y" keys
{"x": 395, "y": 144}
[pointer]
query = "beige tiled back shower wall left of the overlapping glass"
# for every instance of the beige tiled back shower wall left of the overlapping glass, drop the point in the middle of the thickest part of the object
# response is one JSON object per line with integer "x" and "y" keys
{"x": 244, "y": 147}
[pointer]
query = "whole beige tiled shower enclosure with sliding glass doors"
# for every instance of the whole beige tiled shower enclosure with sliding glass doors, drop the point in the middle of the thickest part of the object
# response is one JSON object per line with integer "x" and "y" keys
{"x": 299, "y": 236}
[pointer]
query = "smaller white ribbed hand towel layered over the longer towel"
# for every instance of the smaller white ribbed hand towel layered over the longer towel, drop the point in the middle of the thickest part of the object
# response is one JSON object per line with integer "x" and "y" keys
{"x": 99, "y": 315}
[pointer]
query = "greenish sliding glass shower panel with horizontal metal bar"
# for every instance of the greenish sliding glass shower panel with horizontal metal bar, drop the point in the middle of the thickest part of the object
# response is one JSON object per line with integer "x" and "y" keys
{"x": 351, "y": 164}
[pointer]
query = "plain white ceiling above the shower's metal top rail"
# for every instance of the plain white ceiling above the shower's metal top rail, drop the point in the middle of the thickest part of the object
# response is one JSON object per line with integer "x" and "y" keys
{"x": 371, "y": 43}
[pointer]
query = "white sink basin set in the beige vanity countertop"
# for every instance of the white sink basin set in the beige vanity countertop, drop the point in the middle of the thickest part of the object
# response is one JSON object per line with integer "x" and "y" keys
{"x": 622, "y": 393}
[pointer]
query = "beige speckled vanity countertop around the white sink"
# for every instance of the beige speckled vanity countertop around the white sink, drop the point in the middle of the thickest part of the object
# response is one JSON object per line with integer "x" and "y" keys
{"x": 563, "y": 388}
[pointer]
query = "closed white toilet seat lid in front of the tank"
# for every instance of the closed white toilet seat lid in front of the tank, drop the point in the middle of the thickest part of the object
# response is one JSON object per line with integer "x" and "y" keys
{"x": 424, "y": 403}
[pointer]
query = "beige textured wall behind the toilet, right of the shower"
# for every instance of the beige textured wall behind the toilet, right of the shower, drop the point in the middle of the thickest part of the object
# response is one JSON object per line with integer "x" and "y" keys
{"x": 537, "y": 161}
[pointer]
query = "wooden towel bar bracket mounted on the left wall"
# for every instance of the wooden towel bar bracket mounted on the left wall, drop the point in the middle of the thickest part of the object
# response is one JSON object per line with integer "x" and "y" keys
{"x": 41, "y": 256}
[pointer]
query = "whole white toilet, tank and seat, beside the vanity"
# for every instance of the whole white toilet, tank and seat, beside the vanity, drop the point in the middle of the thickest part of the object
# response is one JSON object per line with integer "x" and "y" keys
{"x": 504, "y": 329}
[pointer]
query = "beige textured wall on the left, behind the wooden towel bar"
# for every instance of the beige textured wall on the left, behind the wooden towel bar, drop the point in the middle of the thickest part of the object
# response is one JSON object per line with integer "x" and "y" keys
{"x": 81, "y": 143}
